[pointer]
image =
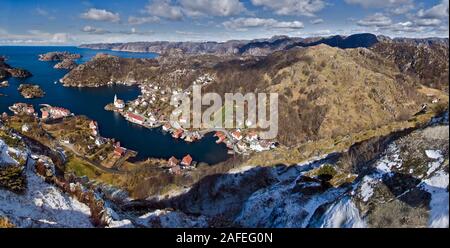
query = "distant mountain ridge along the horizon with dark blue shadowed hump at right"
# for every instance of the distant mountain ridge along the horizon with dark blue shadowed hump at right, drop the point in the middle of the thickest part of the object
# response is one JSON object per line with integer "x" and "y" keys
{"x": 260, "y": 47}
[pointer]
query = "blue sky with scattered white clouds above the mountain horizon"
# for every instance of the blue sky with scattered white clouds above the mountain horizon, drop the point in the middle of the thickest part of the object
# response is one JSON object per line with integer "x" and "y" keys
{"x": 48, "y": 22}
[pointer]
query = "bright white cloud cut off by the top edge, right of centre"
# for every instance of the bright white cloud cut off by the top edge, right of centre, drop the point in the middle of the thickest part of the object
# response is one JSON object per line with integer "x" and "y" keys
{"x": 292, "y": 7}
